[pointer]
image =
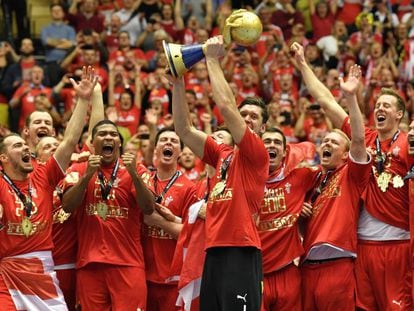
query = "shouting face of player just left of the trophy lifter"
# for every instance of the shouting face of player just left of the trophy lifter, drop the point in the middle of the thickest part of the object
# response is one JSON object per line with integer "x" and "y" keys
{"x": 168, "y": 148}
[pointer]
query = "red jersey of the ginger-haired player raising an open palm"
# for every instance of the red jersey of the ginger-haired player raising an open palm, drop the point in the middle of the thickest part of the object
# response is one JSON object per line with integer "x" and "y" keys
{"x": 336, "y": 209}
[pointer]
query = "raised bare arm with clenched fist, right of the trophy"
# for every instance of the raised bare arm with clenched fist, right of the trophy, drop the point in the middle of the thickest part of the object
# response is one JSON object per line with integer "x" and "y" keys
{"x": 317, "y": 89}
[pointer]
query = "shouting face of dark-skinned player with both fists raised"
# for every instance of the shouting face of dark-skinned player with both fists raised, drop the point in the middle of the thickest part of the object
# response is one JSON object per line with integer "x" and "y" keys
{"x": 107, "y": 143}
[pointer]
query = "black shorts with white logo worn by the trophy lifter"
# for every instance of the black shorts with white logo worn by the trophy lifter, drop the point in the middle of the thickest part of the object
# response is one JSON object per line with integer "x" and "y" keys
{"x": 232, "y": 279}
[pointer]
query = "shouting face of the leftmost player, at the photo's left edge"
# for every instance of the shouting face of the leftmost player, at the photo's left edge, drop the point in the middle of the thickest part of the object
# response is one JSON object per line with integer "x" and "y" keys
{"x": 16, "y": 155}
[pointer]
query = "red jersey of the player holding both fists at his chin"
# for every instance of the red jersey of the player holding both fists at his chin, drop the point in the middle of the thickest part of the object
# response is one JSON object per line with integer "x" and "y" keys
{"x": 117, "y": 239}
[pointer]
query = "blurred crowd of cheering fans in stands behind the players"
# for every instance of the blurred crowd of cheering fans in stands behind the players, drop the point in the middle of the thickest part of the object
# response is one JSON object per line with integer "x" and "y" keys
{"x": 46, "y": 42}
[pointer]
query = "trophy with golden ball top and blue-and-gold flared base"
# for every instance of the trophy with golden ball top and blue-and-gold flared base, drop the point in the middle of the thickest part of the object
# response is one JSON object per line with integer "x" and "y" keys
{"x": 242, "y": 27}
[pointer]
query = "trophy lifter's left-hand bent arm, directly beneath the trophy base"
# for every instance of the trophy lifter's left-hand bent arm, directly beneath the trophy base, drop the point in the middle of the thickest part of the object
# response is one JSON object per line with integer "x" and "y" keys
{"x": 191, "y": 137}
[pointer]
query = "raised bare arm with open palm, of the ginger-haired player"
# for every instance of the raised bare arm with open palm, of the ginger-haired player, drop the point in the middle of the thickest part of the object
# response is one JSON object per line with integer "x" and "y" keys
{"x": 350, "y": 88}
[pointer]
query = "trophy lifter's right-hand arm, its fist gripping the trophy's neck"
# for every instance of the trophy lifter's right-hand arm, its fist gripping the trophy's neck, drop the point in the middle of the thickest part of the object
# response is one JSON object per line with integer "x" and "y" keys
{"x": 222, "y": 93}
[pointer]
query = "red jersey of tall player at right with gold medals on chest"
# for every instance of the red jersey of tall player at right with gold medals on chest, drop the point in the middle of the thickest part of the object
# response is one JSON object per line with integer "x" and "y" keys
{"x": 390, "y": 206}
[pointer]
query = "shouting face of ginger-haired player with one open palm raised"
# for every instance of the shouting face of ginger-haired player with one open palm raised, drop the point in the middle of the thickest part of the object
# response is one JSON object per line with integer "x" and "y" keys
{"x": 333, "y": 151}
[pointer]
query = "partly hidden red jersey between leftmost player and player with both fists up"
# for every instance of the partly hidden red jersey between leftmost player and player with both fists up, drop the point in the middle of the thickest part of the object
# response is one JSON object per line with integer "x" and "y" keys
{"x": 64, "y": 235}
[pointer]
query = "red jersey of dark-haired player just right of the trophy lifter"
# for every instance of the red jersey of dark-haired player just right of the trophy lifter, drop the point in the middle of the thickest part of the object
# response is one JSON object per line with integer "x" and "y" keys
{"x": 280, "y": 210}
